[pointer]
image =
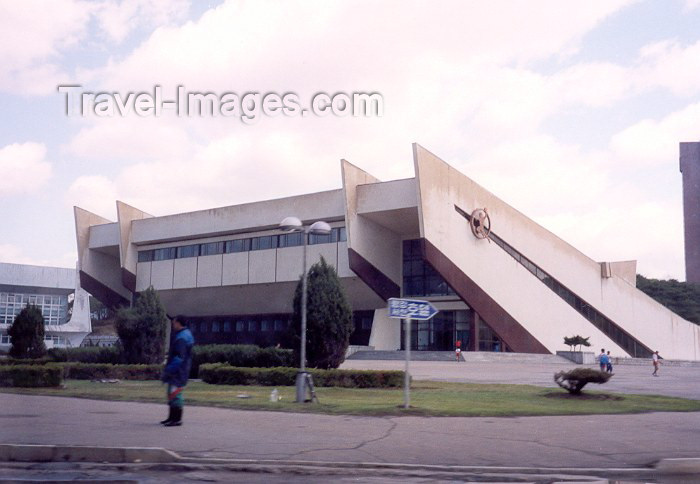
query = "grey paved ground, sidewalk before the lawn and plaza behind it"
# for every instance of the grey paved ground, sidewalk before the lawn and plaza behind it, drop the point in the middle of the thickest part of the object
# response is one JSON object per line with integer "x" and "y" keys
{"x": 576, "y": 442}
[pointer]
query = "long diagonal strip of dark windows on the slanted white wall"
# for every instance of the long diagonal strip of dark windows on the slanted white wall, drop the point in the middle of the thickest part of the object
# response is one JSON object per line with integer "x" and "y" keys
{"x": 612, "y": 330}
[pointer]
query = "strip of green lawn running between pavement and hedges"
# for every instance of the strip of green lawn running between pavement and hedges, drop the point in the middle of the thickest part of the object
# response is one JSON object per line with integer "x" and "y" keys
{"x": 427, "y": 399}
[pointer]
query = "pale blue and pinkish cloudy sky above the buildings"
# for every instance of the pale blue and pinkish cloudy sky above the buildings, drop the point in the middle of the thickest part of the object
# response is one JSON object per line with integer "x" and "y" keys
{"x": 570, "y": 111}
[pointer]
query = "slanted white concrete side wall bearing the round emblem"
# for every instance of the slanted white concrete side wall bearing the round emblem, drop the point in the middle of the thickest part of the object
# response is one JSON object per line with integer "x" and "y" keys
{"x": 546, "y": 316}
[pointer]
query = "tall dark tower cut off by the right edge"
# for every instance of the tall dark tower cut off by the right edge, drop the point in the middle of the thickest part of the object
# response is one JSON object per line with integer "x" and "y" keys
{"x": 690, "y": 168}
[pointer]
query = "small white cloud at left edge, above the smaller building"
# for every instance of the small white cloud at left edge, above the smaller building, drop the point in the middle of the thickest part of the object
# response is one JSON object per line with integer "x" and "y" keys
{"x": 24, "y": 169}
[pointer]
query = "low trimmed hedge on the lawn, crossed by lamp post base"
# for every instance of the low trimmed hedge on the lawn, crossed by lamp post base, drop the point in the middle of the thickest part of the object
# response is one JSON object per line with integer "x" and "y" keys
{"x": 224, "y": 374}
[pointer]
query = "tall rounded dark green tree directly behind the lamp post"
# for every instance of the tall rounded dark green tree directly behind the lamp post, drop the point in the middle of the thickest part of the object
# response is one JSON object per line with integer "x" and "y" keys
{"x": 328, "y": 317}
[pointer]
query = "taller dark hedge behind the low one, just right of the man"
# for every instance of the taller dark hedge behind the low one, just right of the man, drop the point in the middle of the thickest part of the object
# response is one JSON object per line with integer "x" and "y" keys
{"x": 248, "y": 356}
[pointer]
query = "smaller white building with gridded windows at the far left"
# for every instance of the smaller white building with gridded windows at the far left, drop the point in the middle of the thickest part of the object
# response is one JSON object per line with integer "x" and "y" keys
{"x": 55, "y": 292}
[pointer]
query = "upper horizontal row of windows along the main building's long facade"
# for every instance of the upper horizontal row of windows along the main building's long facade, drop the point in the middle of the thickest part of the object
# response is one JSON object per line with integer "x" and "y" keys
{"x": 294, "y": 239}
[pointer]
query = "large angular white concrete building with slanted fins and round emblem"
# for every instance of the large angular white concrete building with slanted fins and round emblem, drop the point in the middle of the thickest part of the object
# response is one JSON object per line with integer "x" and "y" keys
{"x": 501, "y": 281}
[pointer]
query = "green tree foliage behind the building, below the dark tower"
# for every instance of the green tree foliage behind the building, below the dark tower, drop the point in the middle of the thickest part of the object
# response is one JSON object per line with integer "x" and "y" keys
{"x": 683, "y": 298}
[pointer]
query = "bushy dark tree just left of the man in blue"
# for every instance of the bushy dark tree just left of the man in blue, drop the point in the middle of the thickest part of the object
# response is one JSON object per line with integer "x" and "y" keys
{"x": 142, "y": 329}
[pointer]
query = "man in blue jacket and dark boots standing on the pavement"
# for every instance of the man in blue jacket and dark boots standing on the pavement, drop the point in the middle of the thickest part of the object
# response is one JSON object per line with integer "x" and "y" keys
{"x": 177, "y": 369}
